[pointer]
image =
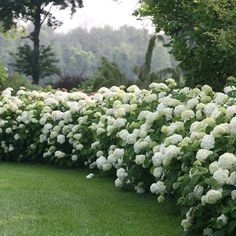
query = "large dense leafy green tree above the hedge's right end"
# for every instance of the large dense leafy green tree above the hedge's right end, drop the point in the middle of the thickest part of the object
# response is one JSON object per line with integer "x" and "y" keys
{"x": 202, "y": 36}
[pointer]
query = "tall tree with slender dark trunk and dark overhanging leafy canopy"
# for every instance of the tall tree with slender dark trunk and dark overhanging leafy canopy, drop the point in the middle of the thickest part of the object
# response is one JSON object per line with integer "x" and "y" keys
{"x": 38, "y": 12}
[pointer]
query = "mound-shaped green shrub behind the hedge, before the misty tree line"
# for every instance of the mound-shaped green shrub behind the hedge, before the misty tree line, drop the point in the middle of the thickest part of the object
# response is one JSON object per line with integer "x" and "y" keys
{"x": 107, "y": 75}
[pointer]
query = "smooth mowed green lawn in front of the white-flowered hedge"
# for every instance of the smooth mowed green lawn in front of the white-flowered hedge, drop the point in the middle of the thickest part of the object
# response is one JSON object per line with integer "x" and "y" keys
{"x": 44, "y": 200}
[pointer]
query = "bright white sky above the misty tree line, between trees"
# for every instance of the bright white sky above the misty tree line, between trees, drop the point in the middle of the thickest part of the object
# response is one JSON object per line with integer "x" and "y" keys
{"x": 98, "y": 13}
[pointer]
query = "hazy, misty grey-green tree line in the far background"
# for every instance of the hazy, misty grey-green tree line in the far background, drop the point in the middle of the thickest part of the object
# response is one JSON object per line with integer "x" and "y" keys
{"x": 79, "y": 52}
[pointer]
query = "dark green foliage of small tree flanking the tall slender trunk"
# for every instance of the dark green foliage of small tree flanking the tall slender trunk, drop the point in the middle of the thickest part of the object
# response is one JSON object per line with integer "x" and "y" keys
{"x": 47, "y": 61}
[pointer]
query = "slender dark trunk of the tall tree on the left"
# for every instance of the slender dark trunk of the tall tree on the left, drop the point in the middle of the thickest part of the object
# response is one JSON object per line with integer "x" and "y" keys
{"x": 35, "y": 39}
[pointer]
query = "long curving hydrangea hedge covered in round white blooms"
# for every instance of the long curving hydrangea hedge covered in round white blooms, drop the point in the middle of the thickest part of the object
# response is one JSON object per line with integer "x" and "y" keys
{"x": 172, "y": 142}
